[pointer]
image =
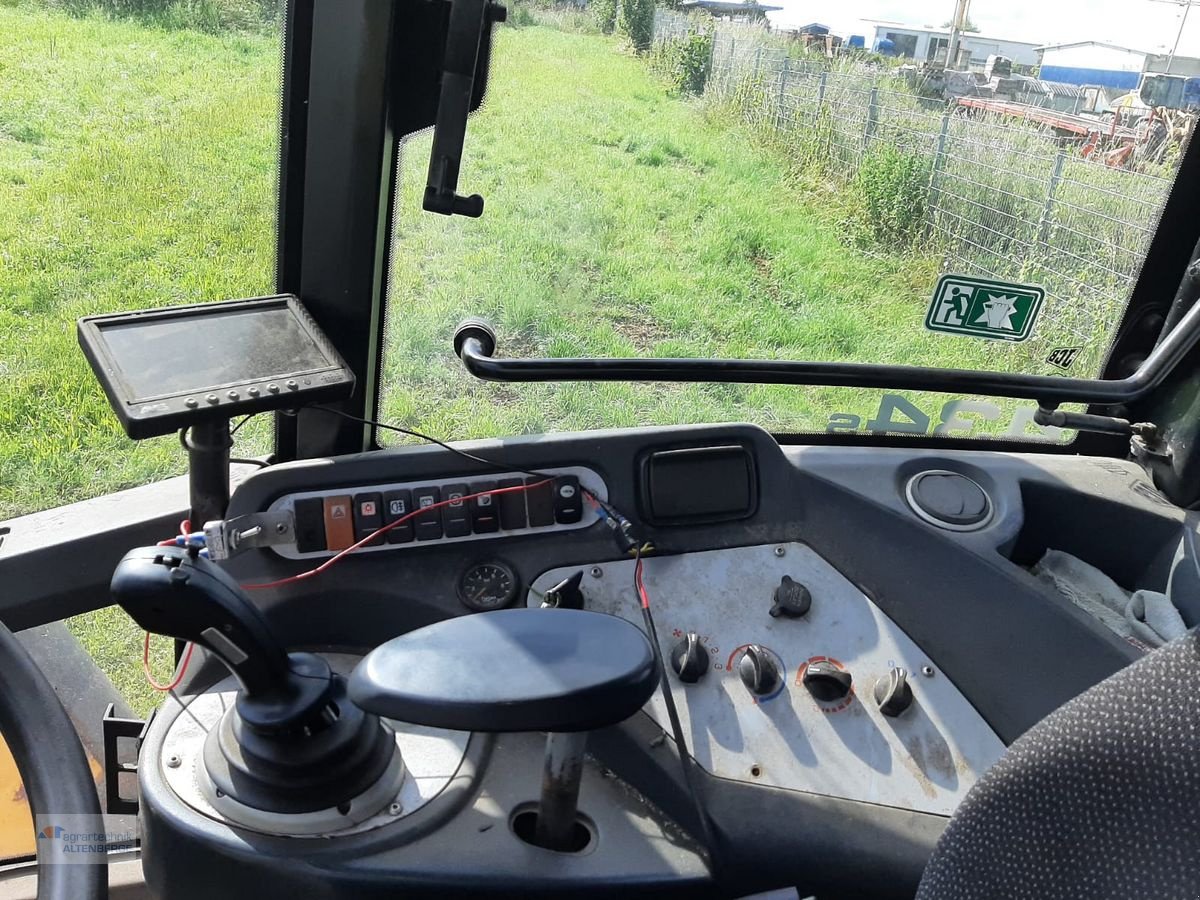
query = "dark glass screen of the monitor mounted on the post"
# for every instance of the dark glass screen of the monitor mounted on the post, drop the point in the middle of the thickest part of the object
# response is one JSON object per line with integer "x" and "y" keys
{"x": 196, "y": 353}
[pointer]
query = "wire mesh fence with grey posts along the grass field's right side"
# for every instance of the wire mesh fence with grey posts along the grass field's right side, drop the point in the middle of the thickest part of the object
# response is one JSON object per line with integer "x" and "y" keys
{"x": 1004, "y": 199}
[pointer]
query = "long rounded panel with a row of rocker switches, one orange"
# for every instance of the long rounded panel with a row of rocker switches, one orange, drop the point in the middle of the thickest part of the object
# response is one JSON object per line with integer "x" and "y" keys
{"x": 331, "y": 521}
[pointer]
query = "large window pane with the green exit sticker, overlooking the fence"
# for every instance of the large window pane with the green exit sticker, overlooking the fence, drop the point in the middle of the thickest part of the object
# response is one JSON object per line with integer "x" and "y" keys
{"x": 855, "y": 182}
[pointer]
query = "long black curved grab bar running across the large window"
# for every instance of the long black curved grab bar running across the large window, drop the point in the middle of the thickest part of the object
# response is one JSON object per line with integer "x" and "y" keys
{"x": 476, "y": 346}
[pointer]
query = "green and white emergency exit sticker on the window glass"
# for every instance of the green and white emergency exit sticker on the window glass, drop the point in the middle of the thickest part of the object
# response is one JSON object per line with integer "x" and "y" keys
{"x": 979, "y": 308}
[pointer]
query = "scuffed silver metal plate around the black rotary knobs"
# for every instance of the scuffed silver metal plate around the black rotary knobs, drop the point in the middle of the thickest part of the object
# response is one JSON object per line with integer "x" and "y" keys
{"x": 926, "y": 760}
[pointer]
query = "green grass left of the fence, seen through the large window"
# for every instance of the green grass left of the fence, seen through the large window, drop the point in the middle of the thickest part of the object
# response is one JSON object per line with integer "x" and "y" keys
{"x": 625, "y": 221}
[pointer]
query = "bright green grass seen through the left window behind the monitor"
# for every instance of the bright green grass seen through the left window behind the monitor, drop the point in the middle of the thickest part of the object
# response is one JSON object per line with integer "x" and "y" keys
{"x": 137, "y": 169}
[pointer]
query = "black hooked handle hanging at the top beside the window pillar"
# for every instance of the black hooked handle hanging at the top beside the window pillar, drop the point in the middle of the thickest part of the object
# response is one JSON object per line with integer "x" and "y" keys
{"x": 471, "y": 21}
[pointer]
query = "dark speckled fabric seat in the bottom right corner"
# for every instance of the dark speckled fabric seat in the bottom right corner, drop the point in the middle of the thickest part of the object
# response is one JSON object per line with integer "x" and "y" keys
{"x": 1100, "y": 800}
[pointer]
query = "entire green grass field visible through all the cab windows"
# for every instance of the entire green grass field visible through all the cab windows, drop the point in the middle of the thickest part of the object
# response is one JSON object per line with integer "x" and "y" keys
{"x": 139, "y": 167}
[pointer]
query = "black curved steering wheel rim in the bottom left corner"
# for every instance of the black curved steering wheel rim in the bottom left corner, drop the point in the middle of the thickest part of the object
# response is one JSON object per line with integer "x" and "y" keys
{"x": 58, "y": 781}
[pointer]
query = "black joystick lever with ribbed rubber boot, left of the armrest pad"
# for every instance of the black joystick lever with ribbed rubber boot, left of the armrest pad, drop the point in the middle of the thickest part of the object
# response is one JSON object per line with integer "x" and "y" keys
{"x": 293, "y": 742}
